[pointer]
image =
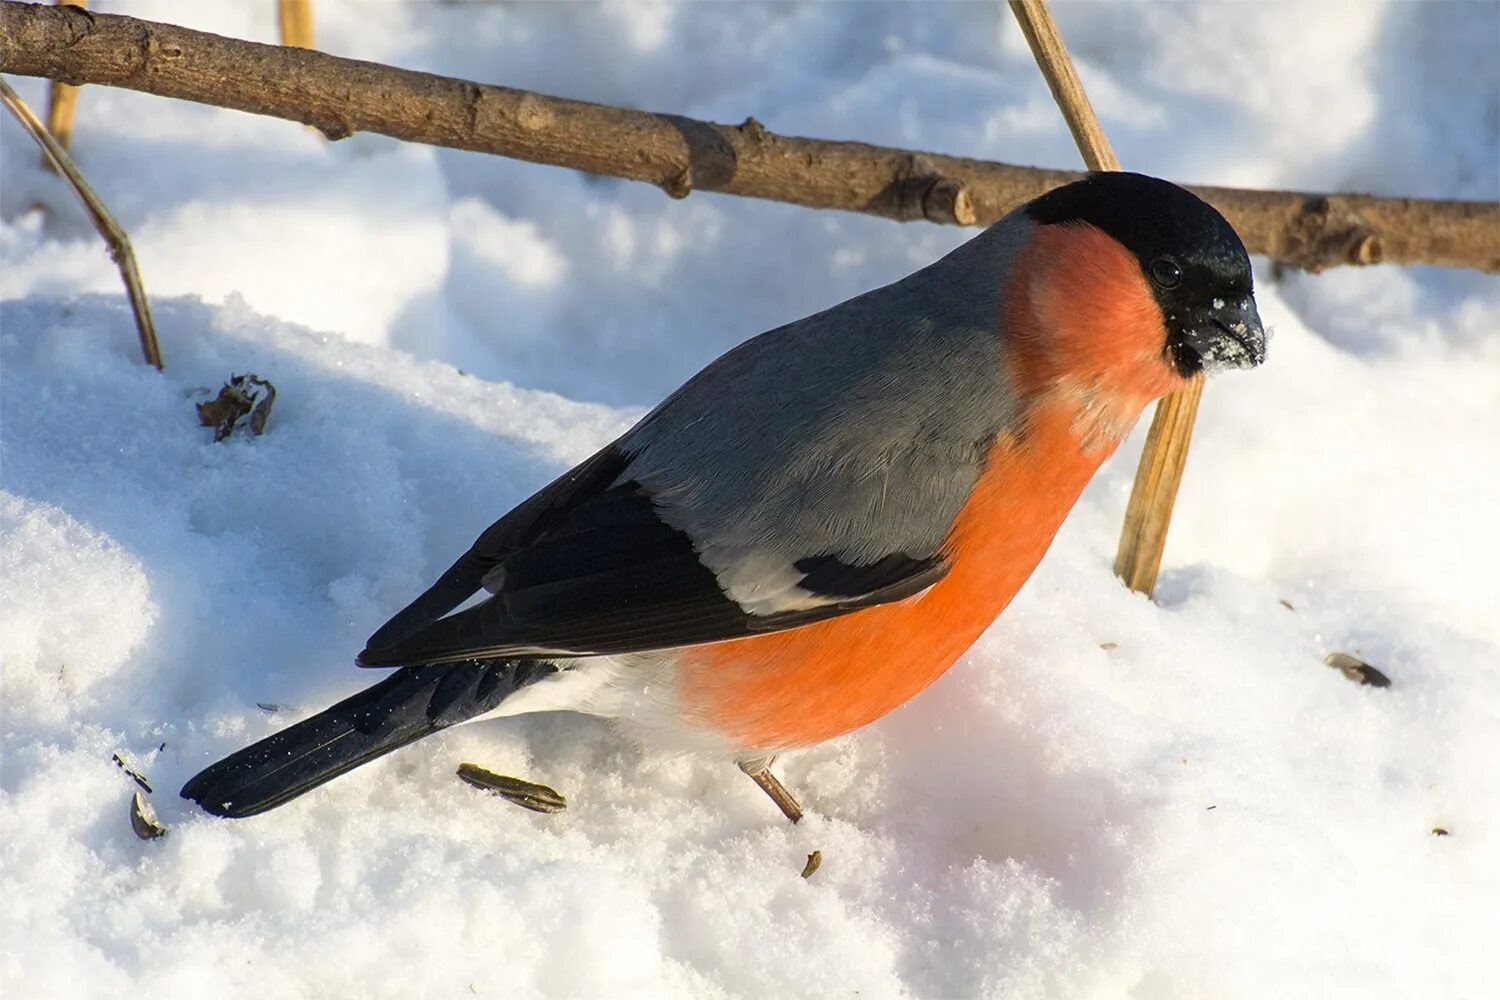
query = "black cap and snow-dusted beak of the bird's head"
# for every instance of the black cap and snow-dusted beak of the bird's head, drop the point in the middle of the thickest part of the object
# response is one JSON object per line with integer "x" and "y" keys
{"x": 1193, "y": 260}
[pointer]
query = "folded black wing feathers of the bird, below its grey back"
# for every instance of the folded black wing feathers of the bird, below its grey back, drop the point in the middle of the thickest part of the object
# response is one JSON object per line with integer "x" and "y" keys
{"x": 589, "y": 567}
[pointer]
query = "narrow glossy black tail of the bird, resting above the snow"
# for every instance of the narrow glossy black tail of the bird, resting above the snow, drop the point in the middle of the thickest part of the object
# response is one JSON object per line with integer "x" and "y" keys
{"x": 412, "y": 704}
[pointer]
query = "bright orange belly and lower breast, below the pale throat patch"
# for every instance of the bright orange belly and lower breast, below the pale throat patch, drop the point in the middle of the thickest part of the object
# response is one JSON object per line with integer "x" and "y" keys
{"x": 811, "y": 684}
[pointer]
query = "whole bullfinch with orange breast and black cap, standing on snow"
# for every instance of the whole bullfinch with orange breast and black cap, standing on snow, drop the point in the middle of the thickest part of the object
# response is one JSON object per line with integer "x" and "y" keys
{"x": 821, "y": 522}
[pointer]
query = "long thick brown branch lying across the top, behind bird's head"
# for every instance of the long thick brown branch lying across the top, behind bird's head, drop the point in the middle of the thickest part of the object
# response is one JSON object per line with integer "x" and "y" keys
{"x": 341, "y": 97}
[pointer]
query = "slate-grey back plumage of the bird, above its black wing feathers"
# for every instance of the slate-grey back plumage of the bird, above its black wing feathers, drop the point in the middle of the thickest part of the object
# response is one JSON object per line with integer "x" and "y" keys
{"x": 857, "y": 433}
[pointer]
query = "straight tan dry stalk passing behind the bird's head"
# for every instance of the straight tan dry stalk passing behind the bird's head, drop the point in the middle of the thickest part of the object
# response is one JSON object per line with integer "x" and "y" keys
{"x": 1160, "y": 473}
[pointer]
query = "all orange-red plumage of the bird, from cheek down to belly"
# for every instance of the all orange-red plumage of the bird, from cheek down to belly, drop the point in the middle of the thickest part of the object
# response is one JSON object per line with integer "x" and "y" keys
{"x": 1084, "y": 349}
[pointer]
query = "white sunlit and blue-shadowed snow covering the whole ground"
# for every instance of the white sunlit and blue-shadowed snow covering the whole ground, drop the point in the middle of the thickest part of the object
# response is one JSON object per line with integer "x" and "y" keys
{"x": 1201, "y": 809}
